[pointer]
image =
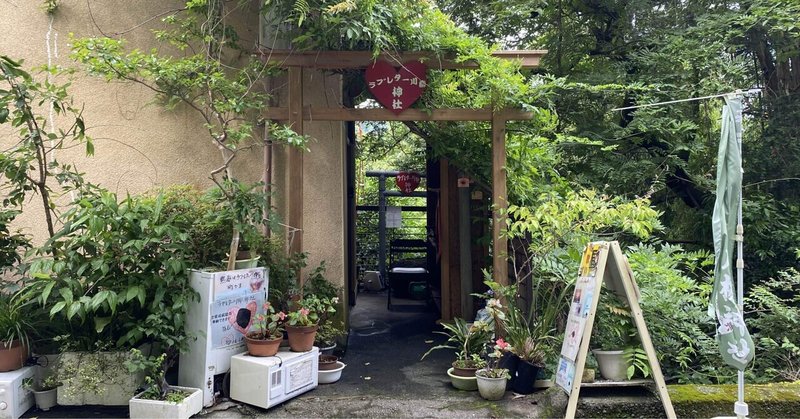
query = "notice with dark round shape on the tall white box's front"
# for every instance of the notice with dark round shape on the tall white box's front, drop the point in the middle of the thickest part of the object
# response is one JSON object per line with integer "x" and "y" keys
{"x": 231, "y": 317}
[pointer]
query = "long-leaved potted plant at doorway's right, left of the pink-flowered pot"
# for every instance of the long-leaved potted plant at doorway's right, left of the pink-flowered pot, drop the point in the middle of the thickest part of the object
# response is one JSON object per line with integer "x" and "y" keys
{"x": 468, "y": 341}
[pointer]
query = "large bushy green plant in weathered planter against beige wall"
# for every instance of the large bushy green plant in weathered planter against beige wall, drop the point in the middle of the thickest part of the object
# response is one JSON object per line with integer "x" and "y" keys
{"x": 115, "y": 277}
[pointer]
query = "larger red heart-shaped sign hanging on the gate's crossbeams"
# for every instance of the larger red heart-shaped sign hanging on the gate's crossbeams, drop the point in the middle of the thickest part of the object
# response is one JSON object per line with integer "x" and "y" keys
{"x": 396, "y": 89}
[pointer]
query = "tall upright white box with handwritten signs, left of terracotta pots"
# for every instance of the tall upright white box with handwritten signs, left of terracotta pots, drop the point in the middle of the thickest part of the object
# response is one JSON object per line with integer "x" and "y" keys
{"x": 210, "y": 354}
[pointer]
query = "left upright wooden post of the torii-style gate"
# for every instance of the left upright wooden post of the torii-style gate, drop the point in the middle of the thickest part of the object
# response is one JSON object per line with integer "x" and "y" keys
{"x": 294, "y": 194}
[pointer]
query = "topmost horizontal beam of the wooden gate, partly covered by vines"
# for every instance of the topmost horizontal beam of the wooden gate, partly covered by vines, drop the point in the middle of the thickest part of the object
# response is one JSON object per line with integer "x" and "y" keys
{"x": 334, "y": 60}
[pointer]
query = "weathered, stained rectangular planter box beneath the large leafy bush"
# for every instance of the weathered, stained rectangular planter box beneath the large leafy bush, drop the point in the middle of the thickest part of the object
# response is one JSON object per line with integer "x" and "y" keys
{"x": 99, "y": 378}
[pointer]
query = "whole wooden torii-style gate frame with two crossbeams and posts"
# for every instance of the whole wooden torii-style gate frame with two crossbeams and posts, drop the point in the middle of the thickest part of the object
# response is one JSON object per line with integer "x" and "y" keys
{"x": 296, "y": 113}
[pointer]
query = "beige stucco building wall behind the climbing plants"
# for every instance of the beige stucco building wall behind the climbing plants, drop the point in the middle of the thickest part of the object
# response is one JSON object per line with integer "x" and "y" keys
{"x": 139, "y": 145}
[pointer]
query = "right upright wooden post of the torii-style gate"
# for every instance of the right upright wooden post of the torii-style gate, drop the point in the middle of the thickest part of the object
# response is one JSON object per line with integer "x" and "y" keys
{"x": 499, "y": 200}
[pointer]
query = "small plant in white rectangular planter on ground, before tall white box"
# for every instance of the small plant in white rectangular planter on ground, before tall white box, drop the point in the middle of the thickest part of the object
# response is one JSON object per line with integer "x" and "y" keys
{"x": 160, "y": 399}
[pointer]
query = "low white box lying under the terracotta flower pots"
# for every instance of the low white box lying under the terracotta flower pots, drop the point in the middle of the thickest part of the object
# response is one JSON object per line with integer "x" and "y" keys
{"x": 268, "y": 381}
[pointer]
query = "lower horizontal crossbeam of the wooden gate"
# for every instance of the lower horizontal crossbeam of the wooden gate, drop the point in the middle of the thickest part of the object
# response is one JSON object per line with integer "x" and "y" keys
{"x": 382, "y": 114}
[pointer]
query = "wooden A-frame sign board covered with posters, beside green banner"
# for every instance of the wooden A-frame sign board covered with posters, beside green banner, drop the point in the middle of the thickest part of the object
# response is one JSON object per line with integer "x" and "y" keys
{"x": 603, "y": 263}
